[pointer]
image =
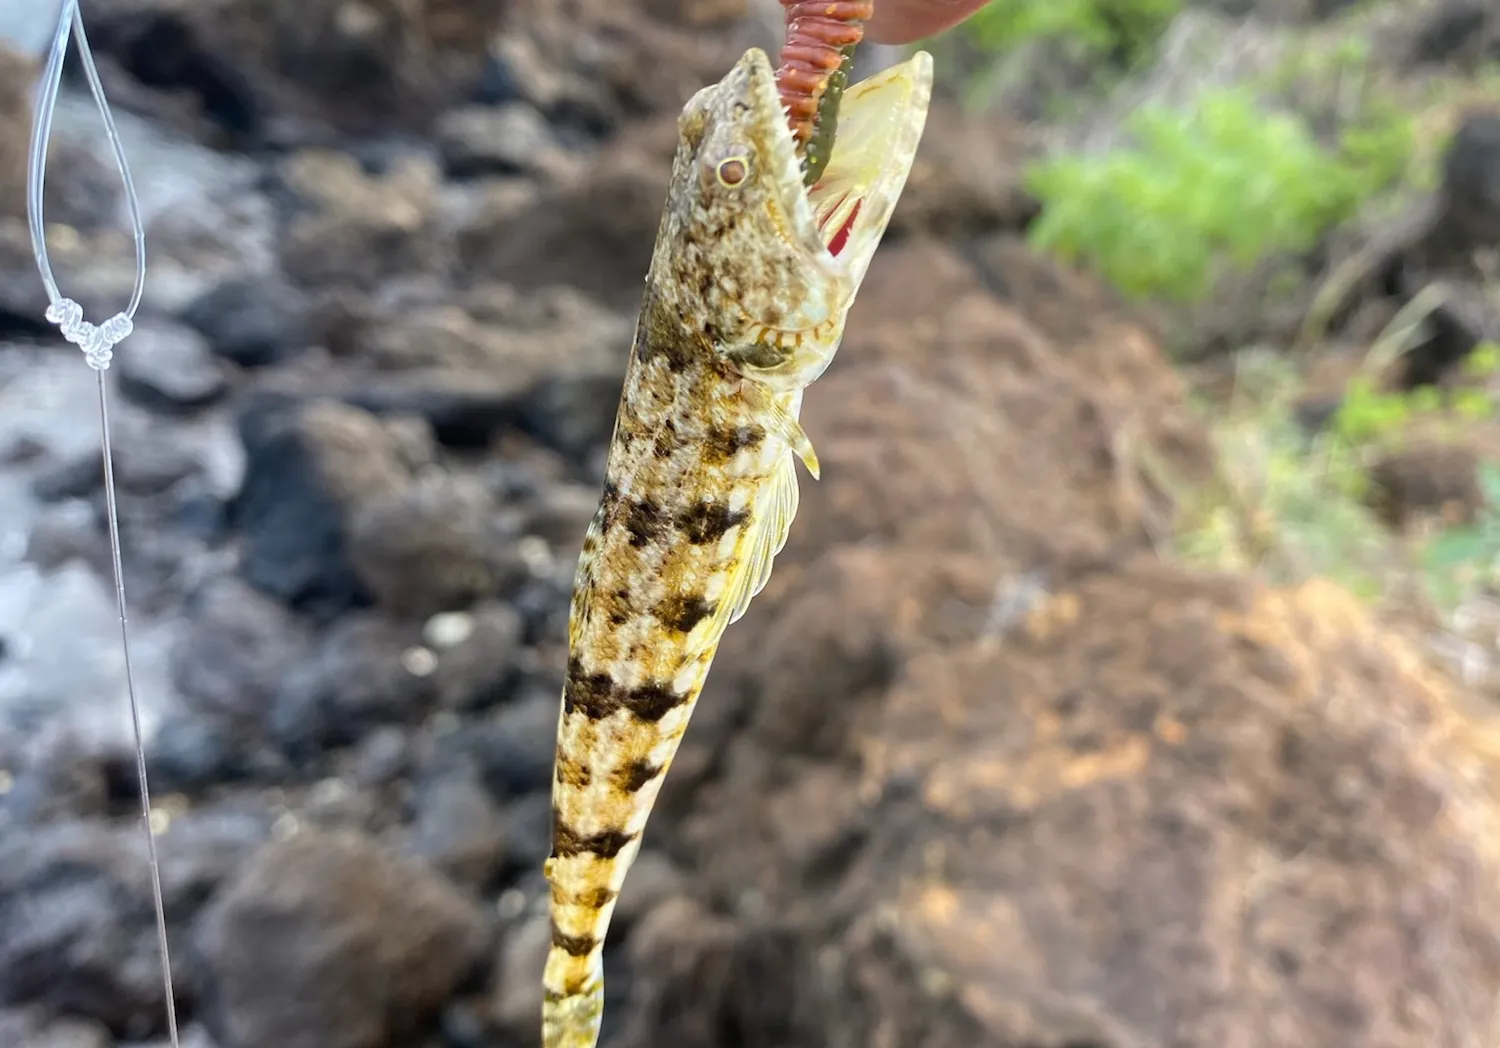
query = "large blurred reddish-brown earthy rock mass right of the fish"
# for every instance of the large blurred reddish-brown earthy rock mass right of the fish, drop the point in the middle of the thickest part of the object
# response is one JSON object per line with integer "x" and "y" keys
{"x": 982, "y": 771}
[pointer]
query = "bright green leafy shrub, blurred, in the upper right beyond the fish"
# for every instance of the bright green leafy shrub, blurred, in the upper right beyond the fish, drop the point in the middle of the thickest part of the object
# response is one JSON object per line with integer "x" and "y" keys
{"x": 1225, "y": 182}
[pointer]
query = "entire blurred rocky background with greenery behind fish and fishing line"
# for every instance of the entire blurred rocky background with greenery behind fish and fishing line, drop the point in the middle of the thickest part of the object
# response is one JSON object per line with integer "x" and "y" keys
{"x": 1127, "y": 683}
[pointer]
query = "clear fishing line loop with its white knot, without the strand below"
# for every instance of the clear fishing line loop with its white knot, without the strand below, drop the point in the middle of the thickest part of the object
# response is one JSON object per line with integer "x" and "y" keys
{"x": 97, "y": 341}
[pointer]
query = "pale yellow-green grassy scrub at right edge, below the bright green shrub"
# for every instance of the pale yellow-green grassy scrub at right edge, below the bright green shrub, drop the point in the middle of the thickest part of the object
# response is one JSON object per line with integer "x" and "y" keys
{"x": 1291, "y": 508}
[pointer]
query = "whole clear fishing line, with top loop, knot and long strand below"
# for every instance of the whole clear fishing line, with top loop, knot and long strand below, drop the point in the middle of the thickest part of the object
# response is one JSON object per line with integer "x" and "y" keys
{"x": 98, "y": 347}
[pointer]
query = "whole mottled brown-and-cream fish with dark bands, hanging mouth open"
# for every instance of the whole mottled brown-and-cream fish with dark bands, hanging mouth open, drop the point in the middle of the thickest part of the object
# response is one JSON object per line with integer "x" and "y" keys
{"x": 751, "y": 283}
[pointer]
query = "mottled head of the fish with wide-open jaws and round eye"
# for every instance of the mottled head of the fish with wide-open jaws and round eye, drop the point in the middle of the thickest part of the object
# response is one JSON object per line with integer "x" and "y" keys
{"x": 755, "y": 262}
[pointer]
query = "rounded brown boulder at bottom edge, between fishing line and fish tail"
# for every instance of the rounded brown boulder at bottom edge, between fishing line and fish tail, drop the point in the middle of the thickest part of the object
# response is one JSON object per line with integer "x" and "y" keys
{"x": 328, "y": 942}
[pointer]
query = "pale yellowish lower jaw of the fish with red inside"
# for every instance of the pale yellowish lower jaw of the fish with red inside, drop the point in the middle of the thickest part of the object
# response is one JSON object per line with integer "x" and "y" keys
{"x": 881, "y": 124}
